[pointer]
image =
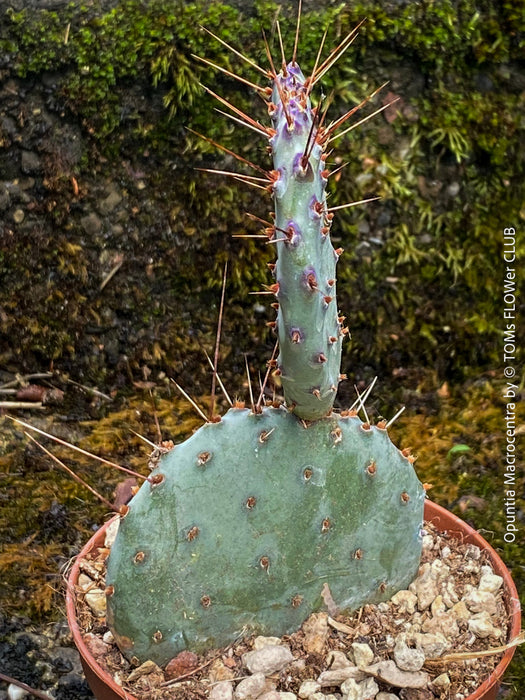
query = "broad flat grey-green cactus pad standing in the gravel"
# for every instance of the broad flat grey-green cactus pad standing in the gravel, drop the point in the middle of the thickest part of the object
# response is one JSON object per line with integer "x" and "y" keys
{"x": 241, "y": 526}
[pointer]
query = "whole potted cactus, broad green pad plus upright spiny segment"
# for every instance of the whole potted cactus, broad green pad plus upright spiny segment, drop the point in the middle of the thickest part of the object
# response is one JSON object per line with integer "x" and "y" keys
{"x": 265, "y": 514}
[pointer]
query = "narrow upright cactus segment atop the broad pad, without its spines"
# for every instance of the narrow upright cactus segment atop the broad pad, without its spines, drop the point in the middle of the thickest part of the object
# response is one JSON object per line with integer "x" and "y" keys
{"x": 309, "y": 330}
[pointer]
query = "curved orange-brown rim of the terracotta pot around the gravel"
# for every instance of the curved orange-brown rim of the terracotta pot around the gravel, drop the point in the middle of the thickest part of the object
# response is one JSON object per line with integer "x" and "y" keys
{"x": 447, "y": 522}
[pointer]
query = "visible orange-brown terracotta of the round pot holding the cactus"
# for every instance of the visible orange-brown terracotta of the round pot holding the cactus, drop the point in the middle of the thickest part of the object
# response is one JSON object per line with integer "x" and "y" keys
{"x": 105, "y": 688}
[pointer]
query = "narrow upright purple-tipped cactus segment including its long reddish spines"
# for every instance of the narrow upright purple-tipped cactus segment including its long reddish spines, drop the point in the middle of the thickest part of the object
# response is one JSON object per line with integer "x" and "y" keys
{"x": 308, "y": 364}
